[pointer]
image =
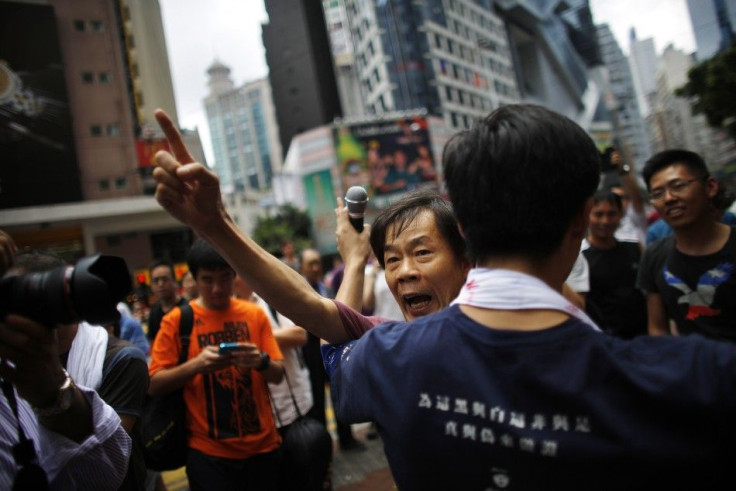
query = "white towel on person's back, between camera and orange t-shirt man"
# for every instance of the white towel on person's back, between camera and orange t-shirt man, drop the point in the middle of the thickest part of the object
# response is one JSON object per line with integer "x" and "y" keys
{"x": 87, "y": 355}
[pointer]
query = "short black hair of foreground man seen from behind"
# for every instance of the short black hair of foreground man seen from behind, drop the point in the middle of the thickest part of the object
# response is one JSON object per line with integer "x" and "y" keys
{"x": 517, "y": 179}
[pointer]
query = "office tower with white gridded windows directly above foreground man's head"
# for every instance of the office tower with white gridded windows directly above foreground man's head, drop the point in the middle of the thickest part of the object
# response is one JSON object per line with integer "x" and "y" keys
{"x": 451, "y": 58}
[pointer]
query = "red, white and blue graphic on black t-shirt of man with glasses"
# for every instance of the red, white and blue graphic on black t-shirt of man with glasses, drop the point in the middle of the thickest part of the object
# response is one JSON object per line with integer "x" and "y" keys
{"x": 700, "y": 300}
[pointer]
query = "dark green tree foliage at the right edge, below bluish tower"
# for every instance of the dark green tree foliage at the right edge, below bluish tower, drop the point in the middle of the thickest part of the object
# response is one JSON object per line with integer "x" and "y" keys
{"x": 712, "y": 88}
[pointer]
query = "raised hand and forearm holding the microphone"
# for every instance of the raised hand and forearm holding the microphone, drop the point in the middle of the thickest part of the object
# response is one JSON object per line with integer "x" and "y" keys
{"x": 354, "y": 248}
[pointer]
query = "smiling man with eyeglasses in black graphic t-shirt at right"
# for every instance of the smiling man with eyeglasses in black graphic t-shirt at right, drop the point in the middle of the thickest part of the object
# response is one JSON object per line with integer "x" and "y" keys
{"x": 688, "y": 277}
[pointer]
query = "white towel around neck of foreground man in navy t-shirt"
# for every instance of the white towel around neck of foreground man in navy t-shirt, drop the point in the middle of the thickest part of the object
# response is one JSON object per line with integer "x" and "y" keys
{"x": 503, "y": 289}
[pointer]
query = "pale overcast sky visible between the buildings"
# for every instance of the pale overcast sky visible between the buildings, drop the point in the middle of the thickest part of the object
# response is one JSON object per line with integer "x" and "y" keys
{"x": 199, "y": 32}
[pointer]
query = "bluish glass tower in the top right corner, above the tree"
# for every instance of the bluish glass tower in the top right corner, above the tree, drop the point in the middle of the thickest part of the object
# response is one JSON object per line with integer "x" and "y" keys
{"x": 713, "y": 24}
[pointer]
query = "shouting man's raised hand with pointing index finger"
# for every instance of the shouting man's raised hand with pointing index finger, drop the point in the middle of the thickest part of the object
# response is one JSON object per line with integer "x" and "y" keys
{"x": 186, "y": 189}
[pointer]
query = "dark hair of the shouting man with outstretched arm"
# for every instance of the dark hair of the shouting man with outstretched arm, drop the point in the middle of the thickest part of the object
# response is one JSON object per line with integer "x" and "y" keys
{"x": 405, "y": 210}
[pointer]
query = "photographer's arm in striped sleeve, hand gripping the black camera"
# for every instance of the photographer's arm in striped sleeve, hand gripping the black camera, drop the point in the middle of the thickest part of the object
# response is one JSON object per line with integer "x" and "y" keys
{"x": 84, "y": 445}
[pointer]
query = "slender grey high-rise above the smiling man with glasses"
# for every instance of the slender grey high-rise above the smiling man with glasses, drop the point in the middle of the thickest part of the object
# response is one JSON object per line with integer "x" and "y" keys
{"x": 628, "y": 124}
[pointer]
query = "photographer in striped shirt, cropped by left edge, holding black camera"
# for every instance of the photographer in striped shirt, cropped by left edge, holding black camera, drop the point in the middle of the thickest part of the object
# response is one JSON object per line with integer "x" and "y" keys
{"x": 74, "y": 440}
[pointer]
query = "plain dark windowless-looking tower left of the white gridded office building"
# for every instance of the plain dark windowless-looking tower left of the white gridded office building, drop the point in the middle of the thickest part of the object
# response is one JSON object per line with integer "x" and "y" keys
{"x": 300, "y": 67}
